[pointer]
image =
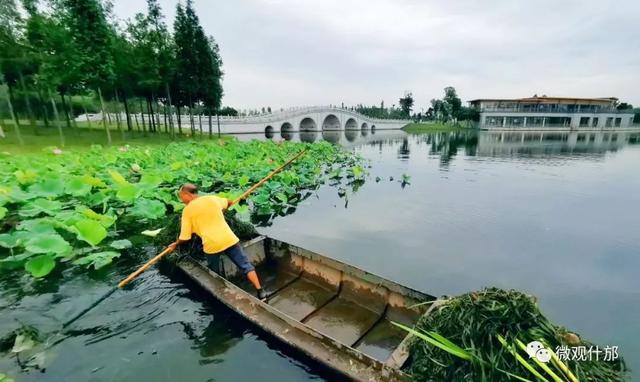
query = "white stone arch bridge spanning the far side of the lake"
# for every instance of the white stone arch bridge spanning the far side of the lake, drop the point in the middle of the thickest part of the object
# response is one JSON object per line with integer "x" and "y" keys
{"x": 312, "y": 118}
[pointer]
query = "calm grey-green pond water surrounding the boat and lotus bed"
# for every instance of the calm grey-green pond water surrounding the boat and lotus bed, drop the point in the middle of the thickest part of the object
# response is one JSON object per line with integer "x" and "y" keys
{"x": 554, "y": 215}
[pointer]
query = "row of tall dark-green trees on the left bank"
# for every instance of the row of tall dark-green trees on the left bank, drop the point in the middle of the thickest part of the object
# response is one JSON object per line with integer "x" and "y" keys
{"x": 54, "y": 52}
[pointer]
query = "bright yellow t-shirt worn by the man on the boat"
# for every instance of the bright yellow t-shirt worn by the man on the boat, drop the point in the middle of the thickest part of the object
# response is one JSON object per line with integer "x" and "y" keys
{"x": 203, "y": 216}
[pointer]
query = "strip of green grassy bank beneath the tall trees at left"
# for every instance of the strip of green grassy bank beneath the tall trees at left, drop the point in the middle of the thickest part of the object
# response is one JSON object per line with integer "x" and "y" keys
{"x": 36, "y": 138}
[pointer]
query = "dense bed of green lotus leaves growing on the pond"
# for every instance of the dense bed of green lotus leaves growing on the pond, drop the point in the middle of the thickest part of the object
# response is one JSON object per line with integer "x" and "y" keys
{"x": 62, "y": 208}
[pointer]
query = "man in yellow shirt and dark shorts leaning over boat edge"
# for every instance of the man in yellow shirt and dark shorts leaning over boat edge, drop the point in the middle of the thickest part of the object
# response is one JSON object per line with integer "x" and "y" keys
{"x": 203, "y": 216}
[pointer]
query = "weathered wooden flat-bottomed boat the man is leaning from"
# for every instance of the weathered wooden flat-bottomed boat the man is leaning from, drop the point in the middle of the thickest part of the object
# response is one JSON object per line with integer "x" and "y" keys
{"x": 332, "y": 312}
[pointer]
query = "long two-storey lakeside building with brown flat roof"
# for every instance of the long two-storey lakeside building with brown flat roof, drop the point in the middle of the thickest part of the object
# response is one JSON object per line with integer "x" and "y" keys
{"x": 553, "y": 113}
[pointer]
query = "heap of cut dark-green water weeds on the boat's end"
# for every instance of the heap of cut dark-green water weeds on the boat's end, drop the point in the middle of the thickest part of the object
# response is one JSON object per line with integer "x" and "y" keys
{"x": 501, "y": 335}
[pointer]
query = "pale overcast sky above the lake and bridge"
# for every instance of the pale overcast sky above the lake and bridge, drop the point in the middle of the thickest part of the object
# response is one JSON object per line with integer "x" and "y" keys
{"x": 283, "y": 53}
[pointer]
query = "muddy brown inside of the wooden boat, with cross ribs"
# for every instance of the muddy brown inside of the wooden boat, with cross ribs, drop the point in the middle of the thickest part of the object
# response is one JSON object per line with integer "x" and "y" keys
{"x": 351, "y": 306}
